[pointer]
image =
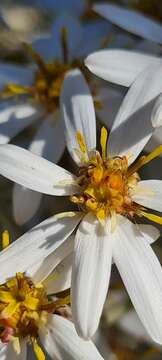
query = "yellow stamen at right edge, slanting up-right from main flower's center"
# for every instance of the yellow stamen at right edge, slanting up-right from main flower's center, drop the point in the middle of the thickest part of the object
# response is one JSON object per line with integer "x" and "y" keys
{"x": 143, "y": 160}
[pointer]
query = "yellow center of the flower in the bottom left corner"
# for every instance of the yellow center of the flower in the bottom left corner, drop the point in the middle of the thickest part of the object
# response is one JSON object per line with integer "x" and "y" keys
{"x": 24, "y": 308}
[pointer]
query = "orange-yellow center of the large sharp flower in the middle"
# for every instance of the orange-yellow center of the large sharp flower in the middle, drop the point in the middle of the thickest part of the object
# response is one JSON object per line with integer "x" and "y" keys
{"x": 105, "y": 183}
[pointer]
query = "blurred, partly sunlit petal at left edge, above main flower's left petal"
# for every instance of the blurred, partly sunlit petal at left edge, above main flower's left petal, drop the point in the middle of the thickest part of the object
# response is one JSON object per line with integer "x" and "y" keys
{"x": 14, "y": 118}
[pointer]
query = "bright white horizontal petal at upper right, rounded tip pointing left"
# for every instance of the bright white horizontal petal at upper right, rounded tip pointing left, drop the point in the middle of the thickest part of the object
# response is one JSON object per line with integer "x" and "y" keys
{"x": 119, "y": 66}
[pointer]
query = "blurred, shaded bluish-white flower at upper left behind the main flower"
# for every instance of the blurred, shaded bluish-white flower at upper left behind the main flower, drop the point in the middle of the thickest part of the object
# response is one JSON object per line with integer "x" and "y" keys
{"x": 39, "y": 89}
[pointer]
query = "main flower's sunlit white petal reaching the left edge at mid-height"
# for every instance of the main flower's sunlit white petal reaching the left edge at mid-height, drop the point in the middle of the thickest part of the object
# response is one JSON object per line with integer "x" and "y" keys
{"x": 34, "y": 172}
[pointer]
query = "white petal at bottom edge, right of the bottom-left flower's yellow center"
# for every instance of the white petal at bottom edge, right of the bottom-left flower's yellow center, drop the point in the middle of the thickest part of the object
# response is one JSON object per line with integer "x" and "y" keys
{"x": 62, "y": 342}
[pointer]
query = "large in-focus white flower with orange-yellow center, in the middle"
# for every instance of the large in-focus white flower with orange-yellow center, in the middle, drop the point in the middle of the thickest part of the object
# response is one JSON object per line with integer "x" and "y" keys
{"x": 110, "y": 196}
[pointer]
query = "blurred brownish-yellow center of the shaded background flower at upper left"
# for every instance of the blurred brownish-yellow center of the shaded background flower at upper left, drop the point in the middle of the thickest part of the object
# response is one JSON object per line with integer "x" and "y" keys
{"x": 48, "y": 78}
